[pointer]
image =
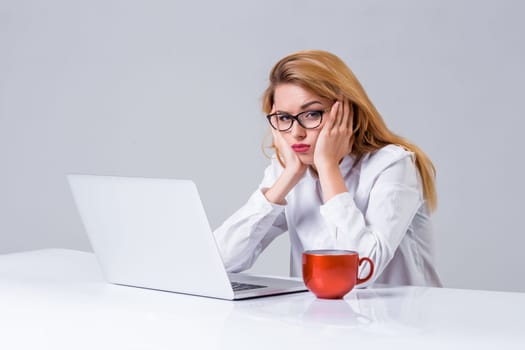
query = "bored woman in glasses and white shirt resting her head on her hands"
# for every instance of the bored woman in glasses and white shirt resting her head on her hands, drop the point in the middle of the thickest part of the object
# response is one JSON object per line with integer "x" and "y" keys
{"x": 340, "y": 179}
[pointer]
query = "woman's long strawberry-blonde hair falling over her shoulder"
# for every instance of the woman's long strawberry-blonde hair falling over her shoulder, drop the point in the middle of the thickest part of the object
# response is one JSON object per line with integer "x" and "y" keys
{"x": 326, "y": 75}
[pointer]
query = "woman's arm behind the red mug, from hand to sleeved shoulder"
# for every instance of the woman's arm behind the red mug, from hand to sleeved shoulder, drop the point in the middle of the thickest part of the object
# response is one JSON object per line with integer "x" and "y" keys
{"x": 394, "y": 198}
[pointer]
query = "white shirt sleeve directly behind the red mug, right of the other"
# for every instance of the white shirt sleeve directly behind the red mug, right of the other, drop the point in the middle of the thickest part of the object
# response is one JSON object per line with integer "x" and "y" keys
{"x": 394, "y": 200}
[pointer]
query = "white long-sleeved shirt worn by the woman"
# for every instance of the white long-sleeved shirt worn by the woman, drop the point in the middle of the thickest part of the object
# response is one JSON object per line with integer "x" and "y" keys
{"x": 382, "y": 216}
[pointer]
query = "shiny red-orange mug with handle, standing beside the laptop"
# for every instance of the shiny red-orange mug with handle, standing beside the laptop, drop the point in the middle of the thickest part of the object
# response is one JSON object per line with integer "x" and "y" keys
{"x": 332, "y": 273}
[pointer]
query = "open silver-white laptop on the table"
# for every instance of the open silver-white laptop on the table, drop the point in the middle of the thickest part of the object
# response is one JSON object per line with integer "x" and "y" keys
{"x": 154, "y": 233}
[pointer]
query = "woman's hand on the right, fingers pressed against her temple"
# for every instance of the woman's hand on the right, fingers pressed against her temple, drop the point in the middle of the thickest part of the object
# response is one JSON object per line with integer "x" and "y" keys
{"x": 336, "y": 138}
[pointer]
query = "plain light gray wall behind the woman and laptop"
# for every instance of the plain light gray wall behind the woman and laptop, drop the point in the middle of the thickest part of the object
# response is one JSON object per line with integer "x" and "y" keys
{"x": 172, "y": 89}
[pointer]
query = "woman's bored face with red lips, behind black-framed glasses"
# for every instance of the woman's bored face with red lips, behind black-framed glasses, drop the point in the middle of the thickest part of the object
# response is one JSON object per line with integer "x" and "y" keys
{"x": 292, "y": 99}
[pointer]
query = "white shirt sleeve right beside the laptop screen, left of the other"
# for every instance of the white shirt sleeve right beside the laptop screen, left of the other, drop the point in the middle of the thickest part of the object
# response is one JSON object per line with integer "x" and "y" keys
{"x": 244, "y": 235}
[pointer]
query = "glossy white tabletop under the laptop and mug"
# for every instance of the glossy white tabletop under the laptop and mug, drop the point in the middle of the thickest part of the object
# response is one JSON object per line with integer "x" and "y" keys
{"x": 57, "y": 299}
